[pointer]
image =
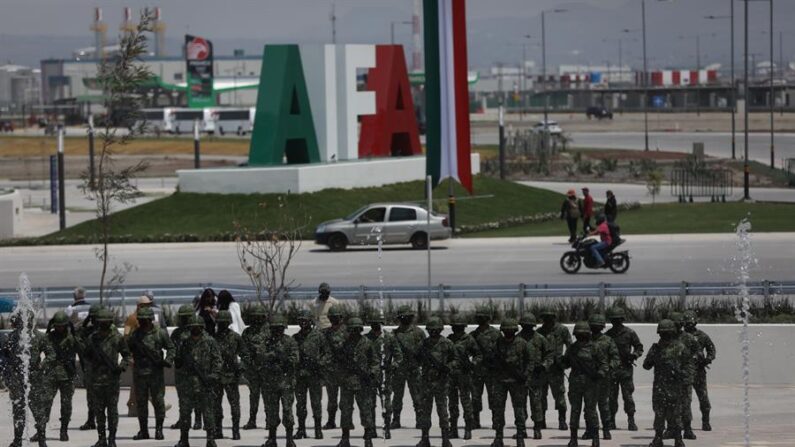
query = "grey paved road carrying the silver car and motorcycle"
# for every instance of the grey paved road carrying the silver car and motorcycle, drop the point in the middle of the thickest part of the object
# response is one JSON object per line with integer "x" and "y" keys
{"x": 459, "y": 262}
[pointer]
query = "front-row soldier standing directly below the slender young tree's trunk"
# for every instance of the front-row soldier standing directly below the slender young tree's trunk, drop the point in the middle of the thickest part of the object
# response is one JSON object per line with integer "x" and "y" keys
{"x": 102, "y": 351}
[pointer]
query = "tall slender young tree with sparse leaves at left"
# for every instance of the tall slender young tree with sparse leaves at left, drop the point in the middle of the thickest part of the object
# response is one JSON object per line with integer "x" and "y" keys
{"x": 120, "y": 77}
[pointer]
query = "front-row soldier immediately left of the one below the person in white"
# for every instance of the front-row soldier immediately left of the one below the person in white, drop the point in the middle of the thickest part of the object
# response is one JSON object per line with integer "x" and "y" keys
{"x": 199, "y": 357}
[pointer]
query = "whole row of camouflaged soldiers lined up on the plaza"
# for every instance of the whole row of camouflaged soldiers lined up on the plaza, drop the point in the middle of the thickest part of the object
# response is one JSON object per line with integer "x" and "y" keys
{"x": 368, "y": 370}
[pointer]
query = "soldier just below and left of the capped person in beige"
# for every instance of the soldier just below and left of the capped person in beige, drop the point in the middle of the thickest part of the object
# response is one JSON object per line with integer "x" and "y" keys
{"x": 310, "y": 348}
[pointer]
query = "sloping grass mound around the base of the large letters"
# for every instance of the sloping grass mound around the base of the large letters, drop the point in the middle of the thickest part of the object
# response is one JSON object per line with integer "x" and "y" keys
{"x": 208, "y": 215}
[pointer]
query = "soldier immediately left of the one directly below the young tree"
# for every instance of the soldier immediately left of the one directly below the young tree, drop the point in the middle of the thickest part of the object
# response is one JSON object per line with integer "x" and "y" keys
{"x": 61, "y": 370}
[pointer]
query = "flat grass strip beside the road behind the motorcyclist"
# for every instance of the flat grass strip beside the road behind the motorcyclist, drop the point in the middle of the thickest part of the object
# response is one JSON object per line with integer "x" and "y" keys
{"x": 676, "y": 218}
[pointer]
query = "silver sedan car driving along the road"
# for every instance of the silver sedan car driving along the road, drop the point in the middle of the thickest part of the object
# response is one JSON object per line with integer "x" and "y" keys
{"x": 393, "y": 223}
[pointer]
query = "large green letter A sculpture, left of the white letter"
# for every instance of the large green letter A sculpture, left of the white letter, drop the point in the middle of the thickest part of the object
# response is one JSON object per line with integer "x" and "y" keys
{"x": 283, "y": 125}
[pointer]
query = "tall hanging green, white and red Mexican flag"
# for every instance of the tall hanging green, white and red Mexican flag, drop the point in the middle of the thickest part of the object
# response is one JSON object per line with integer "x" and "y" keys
{"x": 446, "y": 92}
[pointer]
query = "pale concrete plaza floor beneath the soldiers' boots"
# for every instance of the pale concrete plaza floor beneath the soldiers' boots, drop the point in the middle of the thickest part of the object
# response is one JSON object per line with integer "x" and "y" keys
{"x": 772, "y": 416}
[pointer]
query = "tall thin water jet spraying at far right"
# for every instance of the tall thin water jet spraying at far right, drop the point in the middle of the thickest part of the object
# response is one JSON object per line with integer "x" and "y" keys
{"x": 743, "y": 315}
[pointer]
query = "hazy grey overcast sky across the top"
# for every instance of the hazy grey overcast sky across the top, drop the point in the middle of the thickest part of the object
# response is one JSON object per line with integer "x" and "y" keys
{"x": 586, "y": 33}
